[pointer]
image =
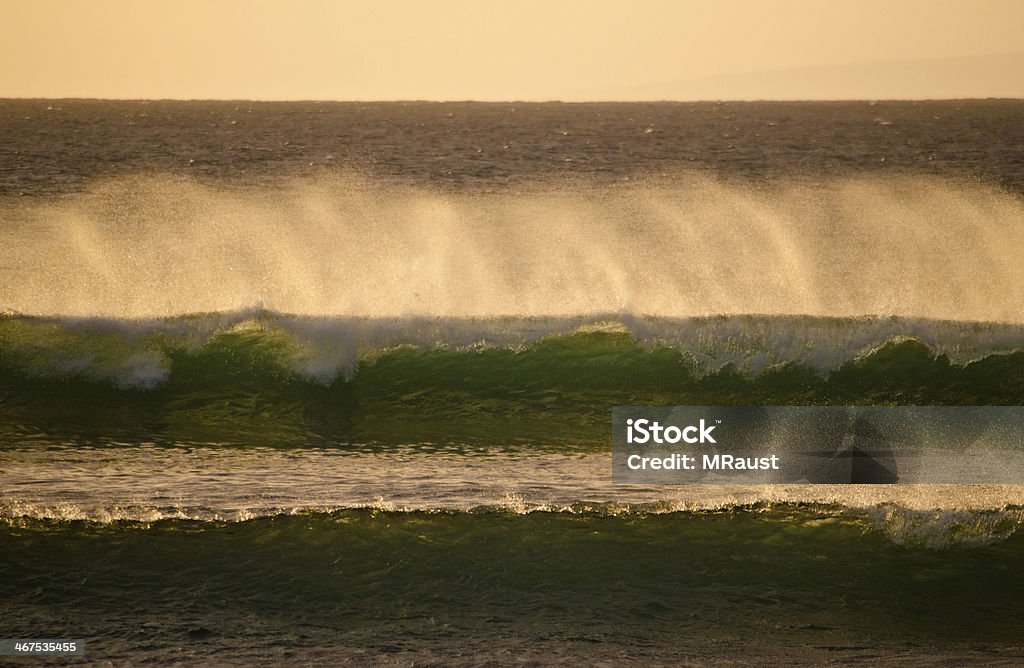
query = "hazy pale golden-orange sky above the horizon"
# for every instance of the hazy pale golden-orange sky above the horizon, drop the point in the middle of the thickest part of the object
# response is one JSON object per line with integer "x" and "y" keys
{"x": 511, "y": 50}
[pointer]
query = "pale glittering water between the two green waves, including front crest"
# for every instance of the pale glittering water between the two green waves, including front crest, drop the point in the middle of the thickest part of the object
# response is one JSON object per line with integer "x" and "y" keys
{"x": 138, "y": 484}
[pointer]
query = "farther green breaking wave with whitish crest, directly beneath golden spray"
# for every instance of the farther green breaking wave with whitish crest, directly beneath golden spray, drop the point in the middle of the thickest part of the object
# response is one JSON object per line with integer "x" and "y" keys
{"x": 271, "y": 380}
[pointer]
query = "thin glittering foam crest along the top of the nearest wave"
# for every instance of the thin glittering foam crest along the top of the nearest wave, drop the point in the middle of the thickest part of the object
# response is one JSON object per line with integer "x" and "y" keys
{"x": 936, "y": 529}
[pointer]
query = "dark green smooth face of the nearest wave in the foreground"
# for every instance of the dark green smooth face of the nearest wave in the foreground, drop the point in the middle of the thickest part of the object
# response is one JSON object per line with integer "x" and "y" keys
{"x": 702, "y": 582}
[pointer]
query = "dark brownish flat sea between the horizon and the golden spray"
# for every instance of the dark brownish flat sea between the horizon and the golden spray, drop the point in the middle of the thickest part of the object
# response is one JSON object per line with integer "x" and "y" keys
{"x": 54, "y": 147}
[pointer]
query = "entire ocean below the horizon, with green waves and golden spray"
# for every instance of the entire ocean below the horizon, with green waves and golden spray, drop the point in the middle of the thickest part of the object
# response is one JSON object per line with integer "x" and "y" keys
{"x": 332, "y": 383}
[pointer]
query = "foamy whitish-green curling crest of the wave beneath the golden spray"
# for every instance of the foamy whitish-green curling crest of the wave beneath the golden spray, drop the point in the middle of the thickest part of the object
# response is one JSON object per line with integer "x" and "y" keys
{"x": 145, "y": 354}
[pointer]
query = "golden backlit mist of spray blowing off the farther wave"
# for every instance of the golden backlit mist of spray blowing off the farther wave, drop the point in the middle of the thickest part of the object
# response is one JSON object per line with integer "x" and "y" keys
{"x": 915, "y": 247}
